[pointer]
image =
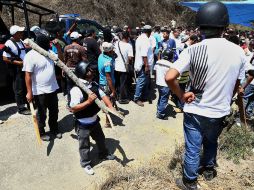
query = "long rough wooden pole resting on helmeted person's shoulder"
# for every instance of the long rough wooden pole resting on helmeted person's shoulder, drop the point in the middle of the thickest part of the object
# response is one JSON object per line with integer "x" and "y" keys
{"x": 71, "y": 75}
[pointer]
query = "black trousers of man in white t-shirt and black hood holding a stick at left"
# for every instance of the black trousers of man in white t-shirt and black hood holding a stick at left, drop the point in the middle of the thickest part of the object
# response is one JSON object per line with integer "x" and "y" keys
{"x": 44, "y": 102}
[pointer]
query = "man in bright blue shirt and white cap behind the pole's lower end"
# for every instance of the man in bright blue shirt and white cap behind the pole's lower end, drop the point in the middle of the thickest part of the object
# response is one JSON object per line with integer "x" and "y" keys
{"x": 106, "y": 67}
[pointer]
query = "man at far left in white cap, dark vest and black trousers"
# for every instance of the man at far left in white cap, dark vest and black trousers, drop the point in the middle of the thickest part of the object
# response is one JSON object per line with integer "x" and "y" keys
{"x": 13, "y": 55}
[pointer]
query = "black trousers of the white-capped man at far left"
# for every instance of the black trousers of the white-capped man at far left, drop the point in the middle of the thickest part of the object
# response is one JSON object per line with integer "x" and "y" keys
{"x": 19, "y": 88}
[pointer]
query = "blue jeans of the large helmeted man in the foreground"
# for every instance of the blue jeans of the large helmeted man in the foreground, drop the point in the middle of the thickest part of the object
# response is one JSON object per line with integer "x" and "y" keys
{"x": 198, "y": 131}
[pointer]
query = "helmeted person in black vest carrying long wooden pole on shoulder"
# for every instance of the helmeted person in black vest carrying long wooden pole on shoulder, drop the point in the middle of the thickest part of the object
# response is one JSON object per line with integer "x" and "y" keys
{"x": 85, "y": 110}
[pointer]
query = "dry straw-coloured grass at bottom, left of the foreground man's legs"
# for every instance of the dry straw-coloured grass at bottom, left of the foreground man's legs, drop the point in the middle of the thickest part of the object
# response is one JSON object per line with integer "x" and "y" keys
{"x": 159, "y": 174}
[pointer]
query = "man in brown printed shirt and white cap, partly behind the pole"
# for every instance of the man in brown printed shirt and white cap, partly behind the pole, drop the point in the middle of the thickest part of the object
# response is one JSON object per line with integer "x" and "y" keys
{"x": 73, "y": 54}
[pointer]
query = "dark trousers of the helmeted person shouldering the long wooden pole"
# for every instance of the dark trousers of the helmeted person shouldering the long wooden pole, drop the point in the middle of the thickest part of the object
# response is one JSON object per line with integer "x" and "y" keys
{"x": 98, "y": 136}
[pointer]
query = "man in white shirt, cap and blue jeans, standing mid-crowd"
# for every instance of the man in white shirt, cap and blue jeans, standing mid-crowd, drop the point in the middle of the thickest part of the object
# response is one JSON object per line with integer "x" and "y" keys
{"x": 141, "y": 65}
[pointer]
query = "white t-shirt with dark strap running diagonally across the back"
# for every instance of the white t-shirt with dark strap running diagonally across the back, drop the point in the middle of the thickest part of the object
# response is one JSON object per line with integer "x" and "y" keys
{"x": 127, "y": 51}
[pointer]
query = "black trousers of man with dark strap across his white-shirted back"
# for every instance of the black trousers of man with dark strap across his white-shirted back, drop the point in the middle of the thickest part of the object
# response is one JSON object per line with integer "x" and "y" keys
{"x": 122, "y": 85}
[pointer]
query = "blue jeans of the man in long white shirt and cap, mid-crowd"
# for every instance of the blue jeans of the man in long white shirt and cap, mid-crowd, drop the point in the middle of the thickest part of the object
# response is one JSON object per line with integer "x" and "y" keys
{"x": 142, "y": 85}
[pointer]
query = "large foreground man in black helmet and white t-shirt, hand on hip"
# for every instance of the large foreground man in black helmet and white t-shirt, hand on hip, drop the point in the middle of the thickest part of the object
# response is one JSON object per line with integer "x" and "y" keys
{"x": 214, "y": 77}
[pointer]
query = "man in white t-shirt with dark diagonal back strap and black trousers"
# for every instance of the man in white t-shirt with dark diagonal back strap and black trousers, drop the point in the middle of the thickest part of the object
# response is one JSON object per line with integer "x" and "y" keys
{"x": 124, "y": 53}
